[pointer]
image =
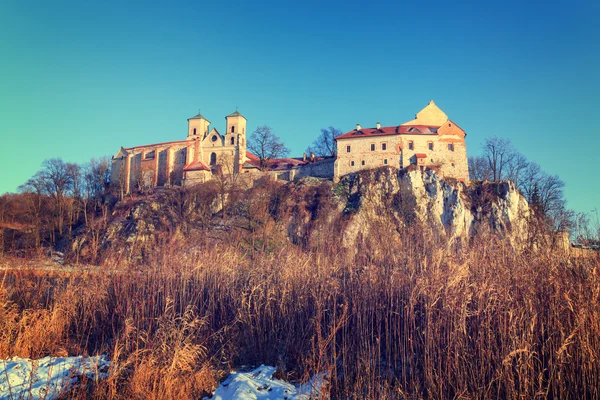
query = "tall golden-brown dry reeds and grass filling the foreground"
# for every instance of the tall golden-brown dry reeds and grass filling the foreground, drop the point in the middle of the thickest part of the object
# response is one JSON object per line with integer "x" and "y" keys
{"x": 408, "y": 317}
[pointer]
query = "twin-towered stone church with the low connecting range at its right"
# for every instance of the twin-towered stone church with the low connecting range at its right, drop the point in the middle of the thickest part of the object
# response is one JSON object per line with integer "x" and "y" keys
{"x": 204, "y": 153}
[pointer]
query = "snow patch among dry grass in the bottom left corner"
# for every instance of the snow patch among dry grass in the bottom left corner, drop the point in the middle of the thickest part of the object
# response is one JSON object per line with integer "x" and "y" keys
{"x": 46, "y": 378}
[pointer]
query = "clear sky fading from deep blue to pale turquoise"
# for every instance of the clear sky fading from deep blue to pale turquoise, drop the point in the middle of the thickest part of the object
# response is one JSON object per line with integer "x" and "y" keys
{"x": 81, "y": 79}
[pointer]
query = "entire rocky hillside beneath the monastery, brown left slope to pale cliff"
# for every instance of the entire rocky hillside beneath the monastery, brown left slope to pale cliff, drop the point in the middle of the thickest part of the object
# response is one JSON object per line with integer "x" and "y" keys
{"x": 373, "y": 205}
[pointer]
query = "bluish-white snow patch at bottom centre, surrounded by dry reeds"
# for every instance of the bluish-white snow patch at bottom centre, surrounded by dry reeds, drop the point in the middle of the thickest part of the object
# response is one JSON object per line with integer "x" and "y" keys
{"x": 259, "y": 384}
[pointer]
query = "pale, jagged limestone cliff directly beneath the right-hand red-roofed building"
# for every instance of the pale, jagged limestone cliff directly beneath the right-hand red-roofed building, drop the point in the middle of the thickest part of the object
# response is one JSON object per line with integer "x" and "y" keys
{"x": 442, "y": 205}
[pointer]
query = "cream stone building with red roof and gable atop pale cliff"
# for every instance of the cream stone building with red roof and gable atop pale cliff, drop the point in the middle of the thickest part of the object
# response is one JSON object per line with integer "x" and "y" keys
{"x": 431, "y": 140}
